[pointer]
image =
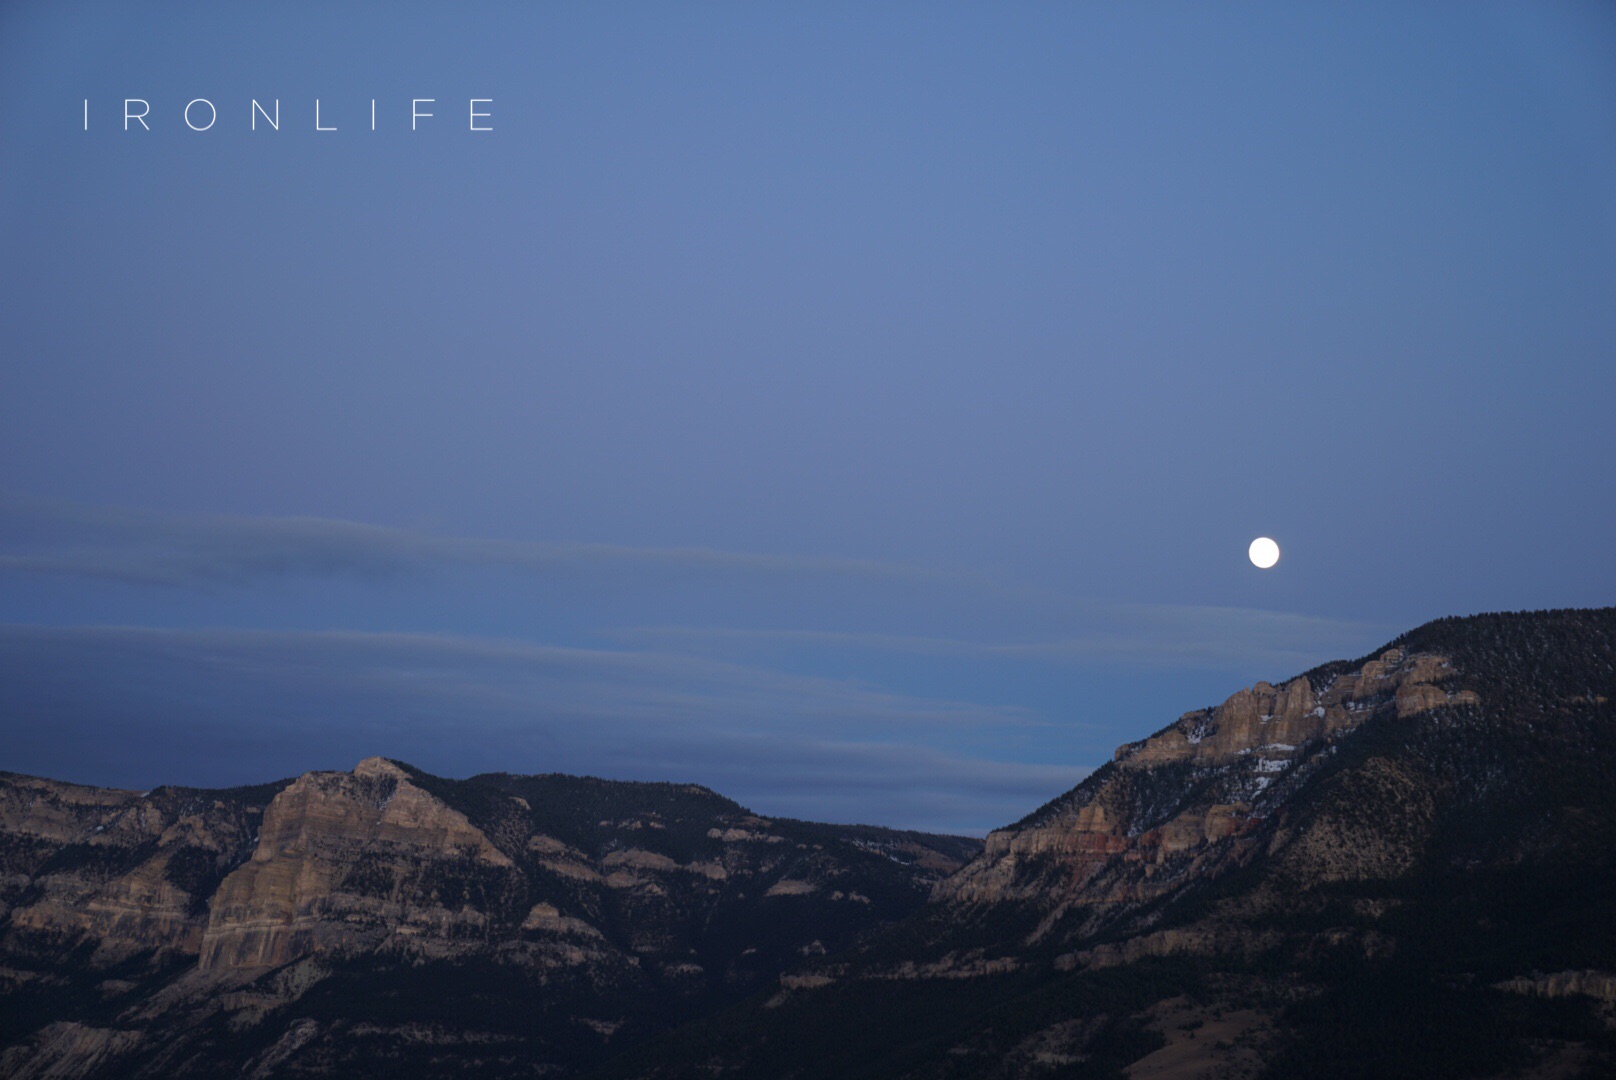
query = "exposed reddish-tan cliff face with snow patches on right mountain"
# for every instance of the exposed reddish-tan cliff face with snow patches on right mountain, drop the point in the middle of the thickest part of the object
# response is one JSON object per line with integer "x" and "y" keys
{"x": 1185, "y": 804}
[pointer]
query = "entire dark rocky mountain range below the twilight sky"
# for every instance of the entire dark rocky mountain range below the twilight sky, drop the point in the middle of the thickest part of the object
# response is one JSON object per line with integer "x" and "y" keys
{"x": 1399, "y": 866}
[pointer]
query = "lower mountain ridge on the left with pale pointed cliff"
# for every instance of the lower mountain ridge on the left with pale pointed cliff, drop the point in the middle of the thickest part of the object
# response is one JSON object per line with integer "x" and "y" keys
{"x": 361, "y": 924}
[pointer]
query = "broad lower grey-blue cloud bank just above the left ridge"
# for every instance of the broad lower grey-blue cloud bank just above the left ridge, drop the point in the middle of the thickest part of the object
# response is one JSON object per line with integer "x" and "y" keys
{"x": 141, "y": 706}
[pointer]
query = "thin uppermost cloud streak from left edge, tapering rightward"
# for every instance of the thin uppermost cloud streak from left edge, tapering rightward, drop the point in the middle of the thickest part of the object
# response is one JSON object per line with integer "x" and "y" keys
{"x": 203, "y": 551}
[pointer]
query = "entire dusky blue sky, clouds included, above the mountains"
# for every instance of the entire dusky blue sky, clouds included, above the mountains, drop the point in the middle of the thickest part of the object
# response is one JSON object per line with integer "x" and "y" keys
{"x": 862, "y": 410}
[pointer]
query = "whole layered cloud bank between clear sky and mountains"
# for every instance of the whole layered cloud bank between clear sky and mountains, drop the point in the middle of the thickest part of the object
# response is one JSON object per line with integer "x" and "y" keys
{"x": 767, "y": 714}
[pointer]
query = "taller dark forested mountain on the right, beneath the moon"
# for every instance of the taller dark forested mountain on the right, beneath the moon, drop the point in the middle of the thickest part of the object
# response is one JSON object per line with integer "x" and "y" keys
{"x": 1394, "y": 867}
